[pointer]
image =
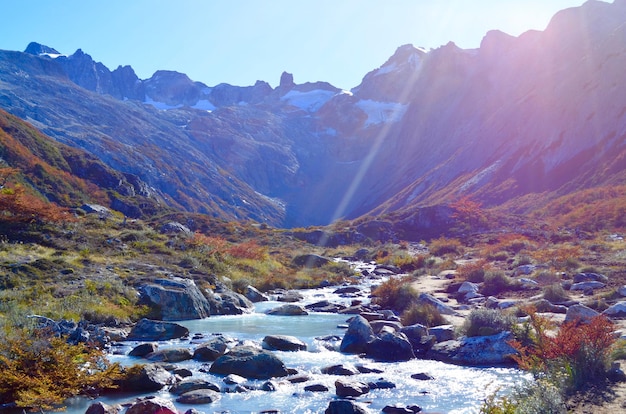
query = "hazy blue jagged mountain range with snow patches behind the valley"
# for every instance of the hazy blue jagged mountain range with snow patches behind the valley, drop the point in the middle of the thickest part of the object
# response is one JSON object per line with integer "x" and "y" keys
{"x": 515, "y": 123}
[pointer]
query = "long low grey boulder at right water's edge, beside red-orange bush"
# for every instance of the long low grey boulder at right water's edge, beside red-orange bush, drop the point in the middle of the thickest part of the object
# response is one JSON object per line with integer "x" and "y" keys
{"x": 476, "y": 350}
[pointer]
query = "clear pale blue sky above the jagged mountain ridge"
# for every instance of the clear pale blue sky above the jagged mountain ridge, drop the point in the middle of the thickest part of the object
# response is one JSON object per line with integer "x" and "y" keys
{"x": 242, "y": 41}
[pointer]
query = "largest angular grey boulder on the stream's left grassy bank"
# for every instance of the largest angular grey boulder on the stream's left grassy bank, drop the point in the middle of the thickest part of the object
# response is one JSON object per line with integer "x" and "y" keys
{"x": 175, "y": 299}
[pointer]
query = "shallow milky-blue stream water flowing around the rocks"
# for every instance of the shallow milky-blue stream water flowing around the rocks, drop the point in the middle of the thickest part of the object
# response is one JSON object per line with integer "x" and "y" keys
{"x": 453, "y": 389}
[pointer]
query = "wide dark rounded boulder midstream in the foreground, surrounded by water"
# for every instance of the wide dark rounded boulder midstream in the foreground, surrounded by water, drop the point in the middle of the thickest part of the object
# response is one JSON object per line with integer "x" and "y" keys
{"x": 249, "y": 362}
